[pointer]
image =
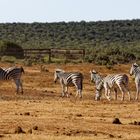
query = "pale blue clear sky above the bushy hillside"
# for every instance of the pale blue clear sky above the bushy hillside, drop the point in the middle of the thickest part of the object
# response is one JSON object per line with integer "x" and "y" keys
{"x": 67, "y": 10}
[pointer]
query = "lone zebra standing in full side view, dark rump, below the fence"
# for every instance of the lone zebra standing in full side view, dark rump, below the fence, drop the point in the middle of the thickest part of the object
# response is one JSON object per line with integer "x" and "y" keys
{"x": 69, "y": 79}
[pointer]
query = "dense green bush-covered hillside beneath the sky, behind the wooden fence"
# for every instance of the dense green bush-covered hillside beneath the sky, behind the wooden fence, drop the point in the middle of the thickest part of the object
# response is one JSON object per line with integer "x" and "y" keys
{"x": 111, "y": 42}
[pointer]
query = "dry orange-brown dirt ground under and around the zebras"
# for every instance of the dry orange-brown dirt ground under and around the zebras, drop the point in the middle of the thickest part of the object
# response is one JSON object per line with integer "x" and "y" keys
{"x": 43, "y": 114}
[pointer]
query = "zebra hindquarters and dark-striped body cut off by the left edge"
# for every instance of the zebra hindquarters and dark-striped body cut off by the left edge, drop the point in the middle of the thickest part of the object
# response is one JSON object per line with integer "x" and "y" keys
{"x": 12, "y": 73}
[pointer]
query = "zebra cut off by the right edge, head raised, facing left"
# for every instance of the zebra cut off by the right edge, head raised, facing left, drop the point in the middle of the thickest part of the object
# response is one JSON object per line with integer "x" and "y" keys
{"x": 135, "y": 70}
